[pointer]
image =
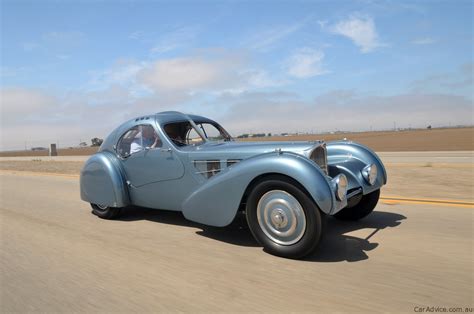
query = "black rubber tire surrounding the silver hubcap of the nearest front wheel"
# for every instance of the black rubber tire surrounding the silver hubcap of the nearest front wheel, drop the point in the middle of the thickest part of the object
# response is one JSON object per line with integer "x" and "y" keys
{"x": 313, "y": 218}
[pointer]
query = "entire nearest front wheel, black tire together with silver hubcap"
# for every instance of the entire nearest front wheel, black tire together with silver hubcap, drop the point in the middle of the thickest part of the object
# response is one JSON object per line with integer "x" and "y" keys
{"x": 283, "y": 218}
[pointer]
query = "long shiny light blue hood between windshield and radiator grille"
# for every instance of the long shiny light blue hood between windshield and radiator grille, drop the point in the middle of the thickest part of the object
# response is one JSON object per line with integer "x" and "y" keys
{"x": 247, "y": 149}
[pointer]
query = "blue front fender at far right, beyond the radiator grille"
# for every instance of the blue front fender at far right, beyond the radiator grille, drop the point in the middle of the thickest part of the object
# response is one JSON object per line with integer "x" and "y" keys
{"x": 350, "y": 158}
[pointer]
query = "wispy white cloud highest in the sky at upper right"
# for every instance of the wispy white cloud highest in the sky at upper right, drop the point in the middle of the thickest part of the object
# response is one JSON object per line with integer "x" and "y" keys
{"x": 361, "y": 30}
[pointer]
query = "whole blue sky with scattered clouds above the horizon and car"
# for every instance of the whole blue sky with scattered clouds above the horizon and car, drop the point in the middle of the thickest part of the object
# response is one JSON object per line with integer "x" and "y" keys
{"x": 75, "y": 69}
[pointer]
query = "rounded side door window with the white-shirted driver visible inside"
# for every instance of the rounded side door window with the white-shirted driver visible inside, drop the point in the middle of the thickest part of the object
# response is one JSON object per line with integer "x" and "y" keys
{"x": 137, "y": 139}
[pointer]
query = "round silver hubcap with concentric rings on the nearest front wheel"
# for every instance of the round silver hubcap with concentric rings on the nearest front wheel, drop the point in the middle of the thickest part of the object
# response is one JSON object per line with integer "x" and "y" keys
{"x": 281, "y": 217}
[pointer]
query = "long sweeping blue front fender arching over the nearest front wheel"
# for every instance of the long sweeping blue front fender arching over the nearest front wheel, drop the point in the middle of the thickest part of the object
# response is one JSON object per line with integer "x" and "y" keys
{"x": 216, "y": 202}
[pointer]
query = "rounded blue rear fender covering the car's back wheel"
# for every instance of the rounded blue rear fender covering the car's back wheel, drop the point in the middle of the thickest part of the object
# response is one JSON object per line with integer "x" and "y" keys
{"x": 102, "y": 181}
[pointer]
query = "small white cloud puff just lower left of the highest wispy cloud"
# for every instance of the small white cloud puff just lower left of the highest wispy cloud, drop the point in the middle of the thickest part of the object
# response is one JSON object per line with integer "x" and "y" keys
{"x": 306, "y": 63}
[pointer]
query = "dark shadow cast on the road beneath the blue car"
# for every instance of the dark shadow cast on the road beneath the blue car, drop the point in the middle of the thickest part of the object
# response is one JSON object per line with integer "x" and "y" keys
{"x": 335, "y": 246}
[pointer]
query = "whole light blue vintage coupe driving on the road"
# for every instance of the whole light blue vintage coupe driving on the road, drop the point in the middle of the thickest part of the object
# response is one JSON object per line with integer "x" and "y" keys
{"x": 188, "y": 163}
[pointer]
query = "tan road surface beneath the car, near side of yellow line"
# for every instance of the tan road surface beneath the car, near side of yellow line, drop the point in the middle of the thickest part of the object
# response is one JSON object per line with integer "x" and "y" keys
{"x": 55, "y": 256}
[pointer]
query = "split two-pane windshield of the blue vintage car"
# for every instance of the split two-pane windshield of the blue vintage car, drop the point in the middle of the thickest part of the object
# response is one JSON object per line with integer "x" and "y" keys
{"x": 183, "y": 133}
